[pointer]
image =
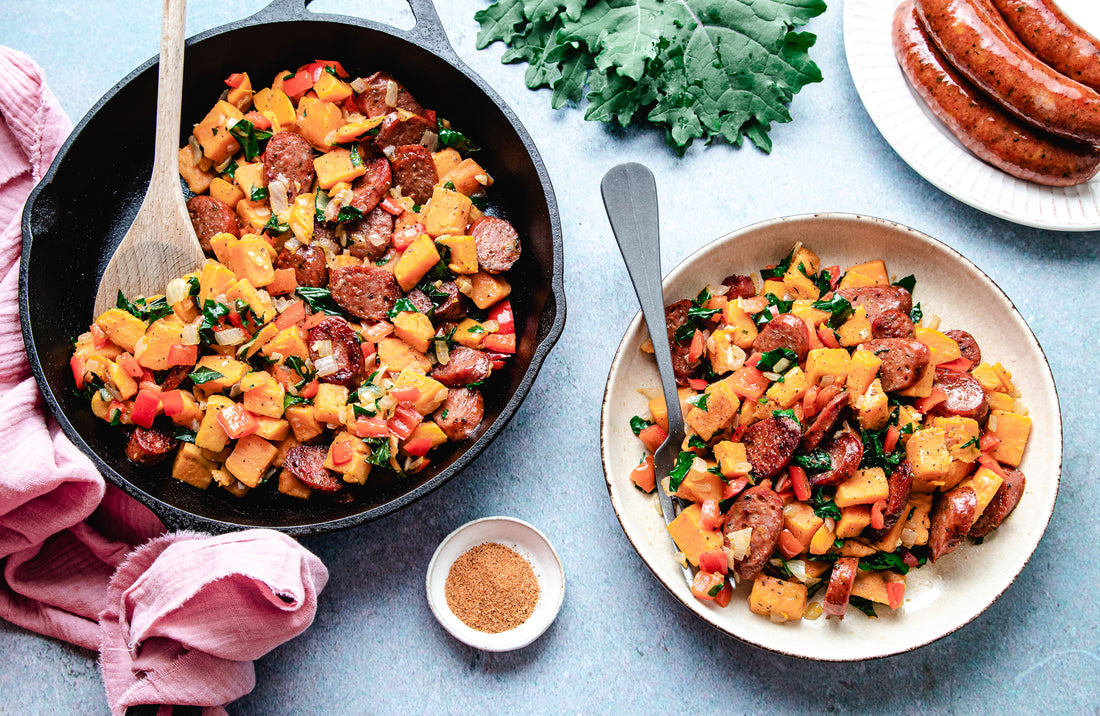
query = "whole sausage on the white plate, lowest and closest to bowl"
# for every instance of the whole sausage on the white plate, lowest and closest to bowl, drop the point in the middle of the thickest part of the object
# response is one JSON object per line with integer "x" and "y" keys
{"x": 984, "y": 127}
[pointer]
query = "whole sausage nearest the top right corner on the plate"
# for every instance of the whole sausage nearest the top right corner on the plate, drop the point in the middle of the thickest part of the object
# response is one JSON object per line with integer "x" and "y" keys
{"x": 1063, "y": 45}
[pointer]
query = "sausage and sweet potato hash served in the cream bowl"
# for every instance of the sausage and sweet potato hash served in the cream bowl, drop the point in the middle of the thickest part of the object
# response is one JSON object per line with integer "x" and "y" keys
{"x": 837, "y": 438}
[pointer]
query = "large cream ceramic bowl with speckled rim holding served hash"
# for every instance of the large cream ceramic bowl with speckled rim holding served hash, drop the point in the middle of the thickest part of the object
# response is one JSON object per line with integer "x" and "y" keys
{"x": 940, "y": 599}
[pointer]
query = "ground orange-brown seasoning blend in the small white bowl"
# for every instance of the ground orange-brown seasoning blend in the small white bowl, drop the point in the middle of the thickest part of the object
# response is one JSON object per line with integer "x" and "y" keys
{"x": 492, "y": 589}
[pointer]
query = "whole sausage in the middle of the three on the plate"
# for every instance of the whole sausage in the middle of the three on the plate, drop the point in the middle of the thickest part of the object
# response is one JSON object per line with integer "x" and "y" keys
{"x": 1000, "y": 67}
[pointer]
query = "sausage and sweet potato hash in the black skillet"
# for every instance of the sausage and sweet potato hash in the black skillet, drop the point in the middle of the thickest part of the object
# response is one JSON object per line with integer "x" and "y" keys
{"x": 354, "y": 303}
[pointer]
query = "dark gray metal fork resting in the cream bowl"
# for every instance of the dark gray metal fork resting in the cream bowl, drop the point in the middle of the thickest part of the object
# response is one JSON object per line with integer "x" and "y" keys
{"x": 630, "y": 195}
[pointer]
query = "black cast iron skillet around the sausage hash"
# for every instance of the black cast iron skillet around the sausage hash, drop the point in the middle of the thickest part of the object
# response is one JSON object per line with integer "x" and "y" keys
{"x": 84, "y": 205}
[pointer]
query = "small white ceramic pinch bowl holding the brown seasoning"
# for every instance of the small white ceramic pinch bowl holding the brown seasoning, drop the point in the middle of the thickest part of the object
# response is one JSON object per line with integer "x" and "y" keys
{"x": 531, "y": 544}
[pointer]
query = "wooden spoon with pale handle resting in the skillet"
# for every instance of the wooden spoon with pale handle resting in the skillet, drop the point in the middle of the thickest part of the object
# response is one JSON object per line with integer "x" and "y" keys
{"x": 161, "y": 244}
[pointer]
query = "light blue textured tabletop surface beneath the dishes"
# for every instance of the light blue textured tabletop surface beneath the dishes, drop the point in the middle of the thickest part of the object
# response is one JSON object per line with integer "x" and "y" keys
{"x": 621, "y": 643}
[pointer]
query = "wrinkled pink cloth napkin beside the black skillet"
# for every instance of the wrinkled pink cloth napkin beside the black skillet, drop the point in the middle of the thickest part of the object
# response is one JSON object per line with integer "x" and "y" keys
{"x": 178, "y": 621}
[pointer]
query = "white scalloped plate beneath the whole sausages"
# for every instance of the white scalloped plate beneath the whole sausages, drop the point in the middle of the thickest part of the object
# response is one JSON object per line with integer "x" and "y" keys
{"x": 933, "y": 152}
